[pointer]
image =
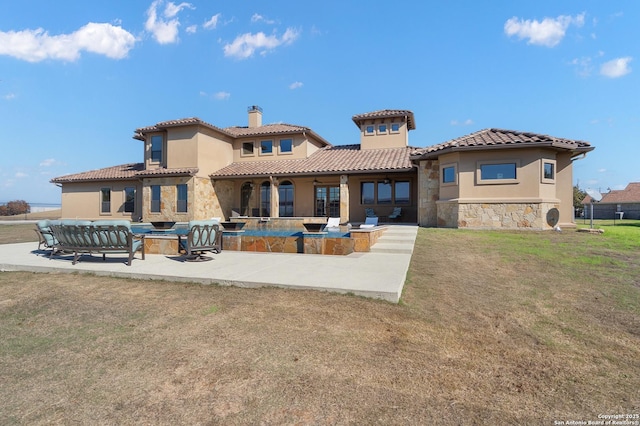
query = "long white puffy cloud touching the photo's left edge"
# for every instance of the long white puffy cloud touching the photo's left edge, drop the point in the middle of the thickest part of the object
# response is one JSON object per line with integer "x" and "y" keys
{"x": 37, "y": 45}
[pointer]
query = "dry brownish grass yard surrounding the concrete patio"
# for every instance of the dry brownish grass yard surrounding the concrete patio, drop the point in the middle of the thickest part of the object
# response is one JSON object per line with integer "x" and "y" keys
{"x": 493, "y": 328}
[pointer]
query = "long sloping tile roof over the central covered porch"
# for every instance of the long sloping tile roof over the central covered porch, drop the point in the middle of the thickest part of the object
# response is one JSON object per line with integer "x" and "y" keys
{"x": 336, "y": 159}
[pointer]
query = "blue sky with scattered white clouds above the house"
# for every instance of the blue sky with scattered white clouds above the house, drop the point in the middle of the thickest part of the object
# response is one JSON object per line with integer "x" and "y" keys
{"x": 78, "y": 77}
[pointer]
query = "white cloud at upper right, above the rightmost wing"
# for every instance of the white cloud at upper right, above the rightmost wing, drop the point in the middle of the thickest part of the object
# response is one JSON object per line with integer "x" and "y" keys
{"x": 548, "y": 32}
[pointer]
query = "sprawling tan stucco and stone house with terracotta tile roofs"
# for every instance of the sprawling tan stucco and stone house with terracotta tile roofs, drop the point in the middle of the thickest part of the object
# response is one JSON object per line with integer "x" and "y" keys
{"x": 194, "y": 170}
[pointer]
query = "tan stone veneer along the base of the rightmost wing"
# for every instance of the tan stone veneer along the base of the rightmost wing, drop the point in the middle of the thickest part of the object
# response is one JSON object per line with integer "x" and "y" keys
{"x": 494, "y": 215}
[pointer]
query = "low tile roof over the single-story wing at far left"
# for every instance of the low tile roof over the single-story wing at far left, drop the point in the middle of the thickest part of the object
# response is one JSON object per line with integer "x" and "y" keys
{"x": 131, "y": 171}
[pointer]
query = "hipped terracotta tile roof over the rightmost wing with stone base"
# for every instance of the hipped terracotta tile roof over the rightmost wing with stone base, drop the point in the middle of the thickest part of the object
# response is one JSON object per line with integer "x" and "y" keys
{"x": 499, "y": 138}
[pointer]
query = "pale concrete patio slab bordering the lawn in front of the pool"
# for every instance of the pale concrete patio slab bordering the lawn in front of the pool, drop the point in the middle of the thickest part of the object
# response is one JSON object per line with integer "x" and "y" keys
{"x": 377, "y": 275}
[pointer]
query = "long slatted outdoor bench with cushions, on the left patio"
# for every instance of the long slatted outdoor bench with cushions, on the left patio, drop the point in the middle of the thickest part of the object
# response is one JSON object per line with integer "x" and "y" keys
{"x": 103, "y": 236}
